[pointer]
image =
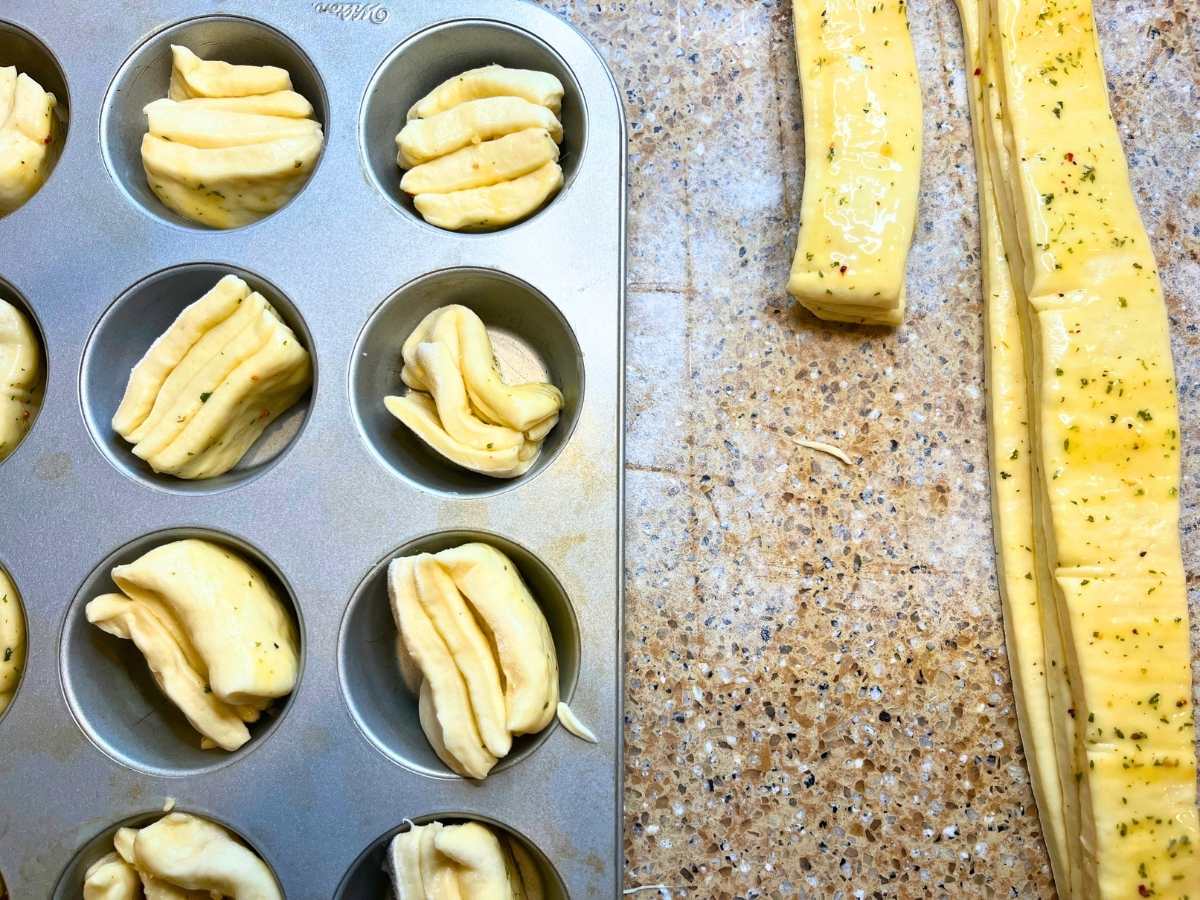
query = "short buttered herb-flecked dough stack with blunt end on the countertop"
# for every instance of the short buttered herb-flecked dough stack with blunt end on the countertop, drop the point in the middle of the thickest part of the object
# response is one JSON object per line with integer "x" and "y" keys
{"x": 862, "y": 159}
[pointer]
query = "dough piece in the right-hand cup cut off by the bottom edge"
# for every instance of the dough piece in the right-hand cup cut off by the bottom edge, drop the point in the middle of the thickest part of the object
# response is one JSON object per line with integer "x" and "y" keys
{"x": 470, "y": 861}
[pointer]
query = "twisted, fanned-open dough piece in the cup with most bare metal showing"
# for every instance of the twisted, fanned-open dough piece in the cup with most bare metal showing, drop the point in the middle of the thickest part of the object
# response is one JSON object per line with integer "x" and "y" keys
{"x": 460, "y": 405}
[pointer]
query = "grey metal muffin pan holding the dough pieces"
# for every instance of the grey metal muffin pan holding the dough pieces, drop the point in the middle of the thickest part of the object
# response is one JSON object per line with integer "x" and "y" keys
{"x": 334, "y": 490}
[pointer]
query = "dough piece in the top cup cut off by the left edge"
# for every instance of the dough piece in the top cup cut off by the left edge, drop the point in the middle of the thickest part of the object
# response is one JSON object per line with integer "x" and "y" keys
{"x": 28, "y": 137}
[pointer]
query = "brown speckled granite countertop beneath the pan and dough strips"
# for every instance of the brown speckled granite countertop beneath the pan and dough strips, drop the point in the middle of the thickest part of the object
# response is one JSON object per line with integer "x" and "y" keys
{"x": 818, "y": 695}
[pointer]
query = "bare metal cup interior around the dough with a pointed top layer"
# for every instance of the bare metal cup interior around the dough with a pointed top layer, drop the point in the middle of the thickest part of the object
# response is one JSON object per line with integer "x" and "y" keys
{"x": 146, "y": 76}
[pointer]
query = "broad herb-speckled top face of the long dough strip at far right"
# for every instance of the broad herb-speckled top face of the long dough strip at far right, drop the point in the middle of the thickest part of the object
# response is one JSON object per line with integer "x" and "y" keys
{"x": 1107, "y": 442}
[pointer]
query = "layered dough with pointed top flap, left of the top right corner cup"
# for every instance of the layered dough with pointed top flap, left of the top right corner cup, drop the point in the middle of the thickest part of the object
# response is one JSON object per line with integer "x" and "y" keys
{"x": 230, "y": 145}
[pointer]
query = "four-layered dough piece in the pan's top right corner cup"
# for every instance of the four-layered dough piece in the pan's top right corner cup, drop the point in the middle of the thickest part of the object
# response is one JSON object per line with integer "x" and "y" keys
{"x": 482, "y": 149}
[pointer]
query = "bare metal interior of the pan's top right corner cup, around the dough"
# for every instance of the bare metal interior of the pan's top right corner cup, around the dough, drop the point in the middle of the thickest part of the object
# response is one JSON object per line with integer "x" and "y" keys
{"x": 422, "y": 63}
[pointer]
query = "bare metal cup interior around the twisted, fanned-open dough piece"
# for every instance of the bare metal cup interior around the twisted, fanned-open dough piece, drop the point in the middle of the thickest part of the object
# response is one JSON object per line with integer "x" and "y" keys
{"x": 523, "y": 323}
